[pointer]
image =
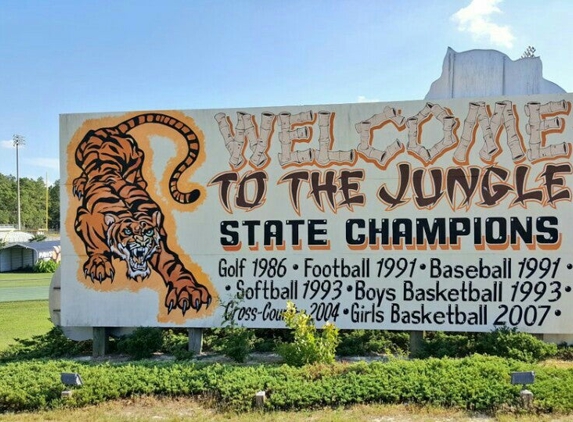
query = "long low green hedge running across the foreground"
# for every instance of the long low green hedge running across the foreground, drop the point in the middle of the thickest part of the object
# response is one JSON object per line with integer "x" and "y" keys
{"x": 477, "y": 383}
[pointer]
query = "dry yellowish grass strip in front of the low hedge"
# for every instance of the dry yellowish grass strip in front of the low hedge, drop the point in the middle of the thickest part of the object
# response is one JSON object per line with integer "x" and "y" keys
{"x": 184, "y": 408}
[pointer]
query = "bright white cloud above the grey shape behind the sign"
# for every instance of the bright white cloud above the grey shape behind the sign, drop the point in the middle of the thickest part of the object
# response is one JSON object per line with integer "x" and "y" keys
{"x": 476, "y": 19}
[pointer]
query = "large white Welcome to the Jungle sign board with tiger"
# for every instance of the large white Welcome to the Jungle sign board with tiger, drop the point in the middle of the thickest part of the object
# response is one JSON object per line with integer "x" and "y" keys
{"x": 451, "y": 215}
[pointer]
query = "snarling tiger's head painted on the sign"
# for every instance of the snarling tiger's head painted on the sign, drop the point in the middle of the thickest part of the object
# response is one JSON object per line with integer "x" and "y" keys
{"x": 134, "y": 240}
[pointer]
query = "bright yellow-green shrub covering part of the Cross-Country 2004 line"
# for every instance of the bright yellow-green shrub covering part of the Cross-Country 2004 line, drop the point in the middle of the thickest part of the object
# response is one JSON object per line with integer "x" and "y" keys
{"x": 307, "y": 346}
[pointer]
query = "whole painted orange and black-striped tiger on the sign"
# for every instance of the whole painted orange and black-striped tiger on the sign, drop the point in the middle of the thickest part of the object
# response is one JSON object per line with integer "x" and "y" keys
{"x": 118, "y": 218}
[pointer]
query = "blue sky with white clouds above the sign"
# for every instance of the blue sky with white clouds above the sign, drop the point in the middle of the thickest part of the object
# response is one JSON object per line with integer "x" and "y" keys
{"x": 59, "y": 57}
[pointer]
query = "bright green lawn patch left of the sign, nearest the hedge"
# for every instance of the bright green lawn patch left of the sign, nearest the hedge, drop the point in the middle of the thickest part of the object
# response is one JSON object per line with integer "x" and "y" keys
{"x": 23, "y": 320}
